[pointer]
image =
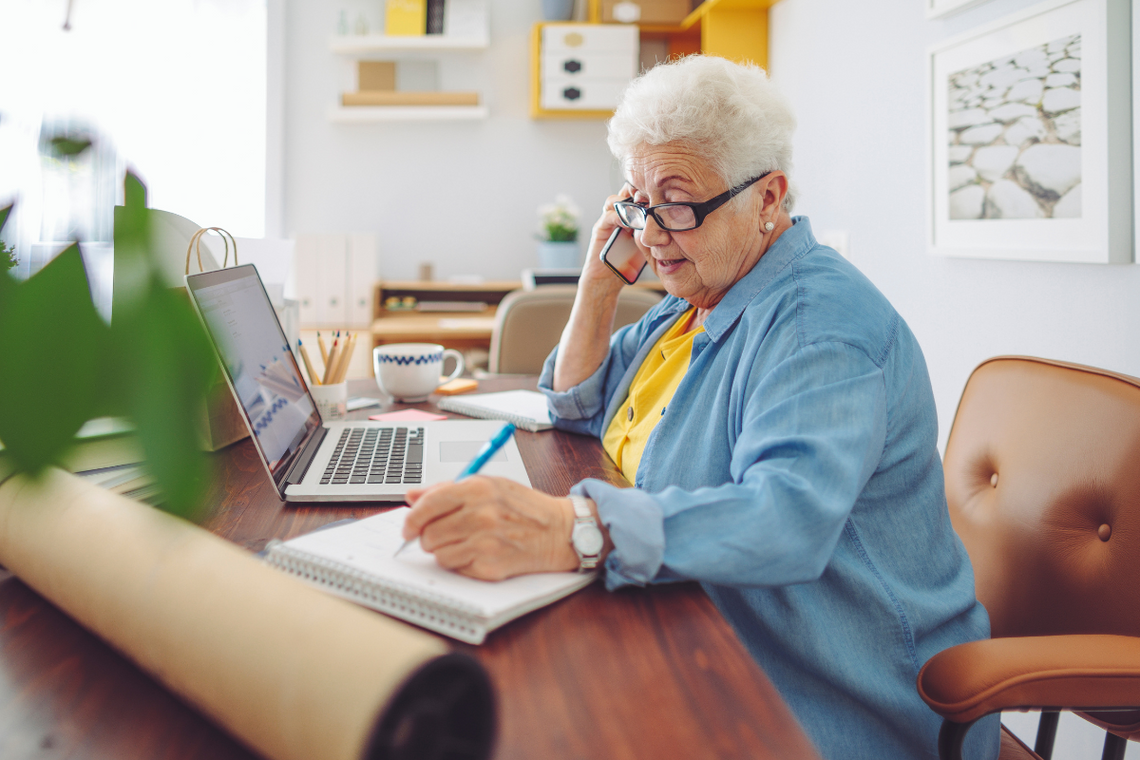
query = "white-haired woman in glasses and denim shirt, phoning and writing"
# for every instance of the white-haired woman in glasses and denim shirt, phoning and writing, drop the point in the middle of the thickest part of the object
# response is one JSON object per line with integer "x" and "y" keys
{"x": 775, "y": 414}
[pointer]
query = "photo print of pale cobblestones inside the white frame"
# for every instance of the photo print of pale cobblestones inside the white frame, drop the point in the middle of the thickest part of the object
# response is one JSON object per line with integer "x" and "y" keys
{"x": 1015, "y": 136}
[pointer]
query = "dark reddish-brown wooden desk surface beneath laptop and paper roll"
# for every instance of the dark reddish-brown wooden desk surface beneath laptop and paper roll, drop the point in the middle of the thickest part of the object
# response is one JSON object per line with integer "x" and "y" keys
{"x": 653, "y": 673}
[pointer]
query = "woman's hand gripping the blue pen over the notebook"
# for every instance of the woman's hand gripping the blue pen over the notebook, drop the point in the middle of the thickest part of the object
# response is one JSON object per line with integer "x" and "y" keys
{"x": 493, "y": 528}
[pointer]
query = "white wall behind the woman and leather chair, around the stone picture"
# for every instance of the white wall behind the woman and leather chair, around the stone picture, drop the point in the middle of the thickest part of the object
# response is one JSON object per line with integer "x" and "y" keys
{"x": 857, "y": 73}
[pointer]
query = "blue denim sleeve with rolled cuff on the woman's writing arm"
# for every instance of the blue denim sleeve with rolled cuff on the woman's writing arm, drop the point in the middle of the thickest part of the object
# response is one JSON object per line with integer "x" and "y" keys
{"x": 811, "y": 434}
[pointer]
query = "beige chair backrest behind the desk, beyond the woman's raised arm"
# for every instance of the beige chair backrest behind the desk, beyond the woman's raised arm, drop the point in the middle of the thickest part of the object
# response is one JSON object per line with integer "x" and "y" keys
{"x": 530, "y": 324}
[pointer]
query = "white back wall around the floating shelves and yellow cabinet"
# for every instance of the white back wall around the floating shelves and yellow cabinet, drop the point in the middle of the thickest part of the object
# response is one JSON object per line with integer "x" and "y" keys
{"x": 462, "y": 195}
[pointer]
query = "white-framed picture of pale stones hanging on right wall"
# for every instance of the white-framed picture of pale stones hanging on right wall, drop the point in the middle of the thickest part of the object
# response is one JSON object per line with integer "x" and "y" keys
{"x": 1030, "y": 141}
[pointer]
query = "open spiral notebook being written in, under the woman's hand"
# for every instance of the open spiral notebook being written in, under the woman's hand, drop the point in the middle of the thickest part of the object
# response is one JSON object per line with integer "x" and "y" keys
{"x": 356, "y": 562}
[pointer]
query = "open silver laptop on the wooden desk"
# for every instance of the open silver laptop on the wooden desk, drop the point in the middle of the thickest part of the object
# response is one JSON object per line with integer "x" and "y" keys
{"x": 311, "y": 460}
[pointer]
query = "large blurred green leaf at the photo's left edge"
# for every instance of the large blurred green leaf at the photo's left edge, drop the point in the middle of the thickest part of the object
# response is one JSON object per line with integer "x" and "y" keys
{"x": 52, "y": 341}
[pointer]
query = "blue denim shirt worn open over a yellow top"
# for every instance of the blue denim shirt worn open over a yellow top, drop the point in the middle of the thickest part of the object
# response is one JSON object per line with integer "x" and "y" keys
{"x": 796, "y": 476}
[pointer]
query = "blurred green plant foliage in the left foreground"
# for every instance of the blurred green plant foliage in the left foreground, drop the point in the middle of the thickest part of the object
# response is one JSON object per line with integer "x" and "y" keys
{"x": 63, "y": 365}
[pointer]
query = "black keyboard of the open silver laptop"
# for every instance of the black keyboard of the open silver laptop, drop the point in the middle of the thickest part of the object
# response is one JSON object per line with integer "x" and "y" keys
{"x": 377, "y": 455}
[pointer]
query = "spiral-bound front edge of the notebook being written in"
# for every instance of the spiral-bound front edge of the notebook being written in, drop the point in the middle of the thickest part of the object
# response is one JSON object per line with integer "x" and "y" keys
{"x": 436, "y": 612}
